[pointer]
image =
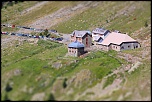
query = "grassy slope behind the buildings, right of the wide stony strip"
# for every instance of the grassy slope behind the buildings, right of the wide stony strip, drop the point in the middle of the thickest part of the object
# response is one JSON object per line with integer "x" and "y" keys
{"x": 101, "y": 13}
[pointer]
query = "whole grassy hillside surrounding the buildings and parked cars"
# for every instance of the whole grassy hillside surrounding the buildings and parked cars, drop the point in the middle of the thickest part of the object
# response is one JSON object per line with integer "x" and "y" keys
{"x": 41, "y": 71}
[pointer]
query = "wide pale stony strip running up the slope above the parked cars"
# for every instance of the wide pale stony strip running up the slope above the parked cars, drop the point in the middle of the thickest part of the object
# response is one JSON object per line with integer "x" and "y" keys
{"x": 60, "y": 15}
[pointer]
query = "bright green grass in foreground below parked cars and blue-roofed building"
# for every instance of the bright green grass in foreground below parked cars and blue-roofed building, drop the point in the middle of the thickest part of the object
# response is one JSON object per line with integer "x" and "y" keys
{"x": 33, "y": 66}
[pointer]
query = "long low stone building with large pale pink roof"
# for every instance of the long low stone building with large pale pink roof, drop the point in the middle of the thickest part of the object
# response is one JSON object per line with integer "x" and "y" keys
{"x": 118, "y": 42}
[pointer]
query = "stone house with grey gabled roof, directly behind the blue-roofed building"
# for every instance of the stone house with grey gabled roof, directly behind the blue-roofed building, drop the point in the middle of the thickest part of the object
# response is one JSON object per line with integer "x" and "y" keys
{"x": 84, "y": 37}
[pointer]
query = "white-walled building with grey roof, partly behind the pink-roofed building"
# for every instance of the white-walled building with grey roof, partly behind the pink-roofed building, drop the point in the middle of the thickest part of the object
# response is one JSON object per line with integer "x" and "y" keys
{"x": 99, "y": 34}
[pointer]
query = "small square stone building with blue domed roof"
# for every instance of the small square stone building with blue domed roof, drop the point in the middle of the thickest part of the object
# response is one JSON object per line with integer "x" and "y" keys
{"x": 76, "y": 49}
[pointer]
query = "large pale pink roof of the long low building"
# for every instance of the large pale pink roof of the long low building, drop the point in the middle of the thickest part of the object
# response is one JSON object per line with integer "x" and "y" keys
{"x": 116, "y": 38}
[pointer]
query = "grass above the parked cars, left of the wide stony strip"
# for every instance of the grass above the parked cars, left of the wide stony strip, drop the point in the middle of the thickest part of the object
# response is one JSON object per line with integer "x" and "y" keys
{"x": 34, "y": 14}
